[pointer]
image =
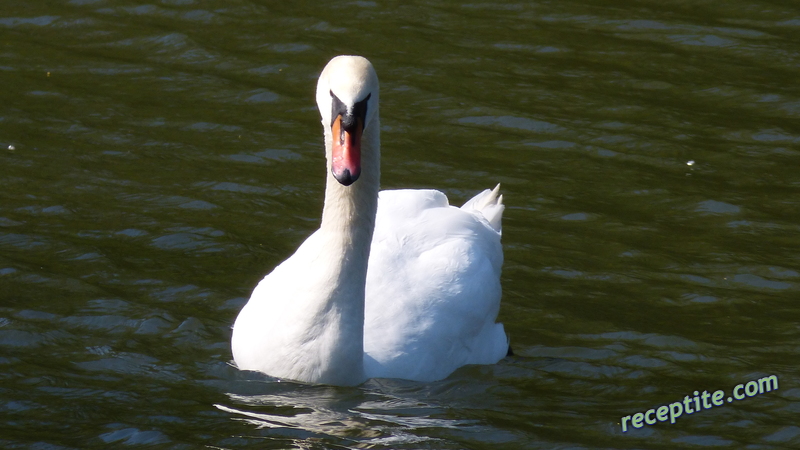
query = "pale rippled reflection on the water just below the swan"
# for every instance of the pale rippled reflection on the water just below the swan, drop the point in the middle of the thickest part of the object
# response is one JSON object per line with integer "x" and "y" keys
{"x": 365, "y": 416}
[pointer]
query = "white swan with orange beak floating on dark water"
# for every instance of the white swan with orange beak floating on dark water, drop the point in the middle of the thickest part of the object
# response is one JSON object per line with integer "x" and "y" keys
{"x": 394, "y": 285}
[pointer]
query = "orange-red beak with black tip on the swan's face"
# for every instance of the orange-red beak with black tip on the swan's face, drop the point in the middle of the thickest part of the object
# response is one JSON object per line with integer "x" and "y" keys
{"x": 346, "y": 155}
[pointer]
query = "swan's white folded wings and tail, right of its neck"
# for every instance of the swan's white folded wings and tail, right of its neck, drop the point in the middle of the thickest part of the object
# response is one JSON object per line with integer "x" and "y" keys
{"x": 433, "y": 285}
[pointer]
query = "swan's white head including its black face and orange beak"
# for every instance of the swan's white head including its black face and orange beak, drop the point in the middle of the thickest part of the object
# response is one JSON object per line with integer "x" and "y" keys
{"x": 347, "y": 97}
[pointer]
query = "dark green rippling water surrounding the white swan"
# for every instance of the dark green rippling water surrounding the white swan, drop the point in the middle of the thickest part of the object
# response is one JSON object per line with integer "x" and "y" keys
{"x": 159, "y": 158}
